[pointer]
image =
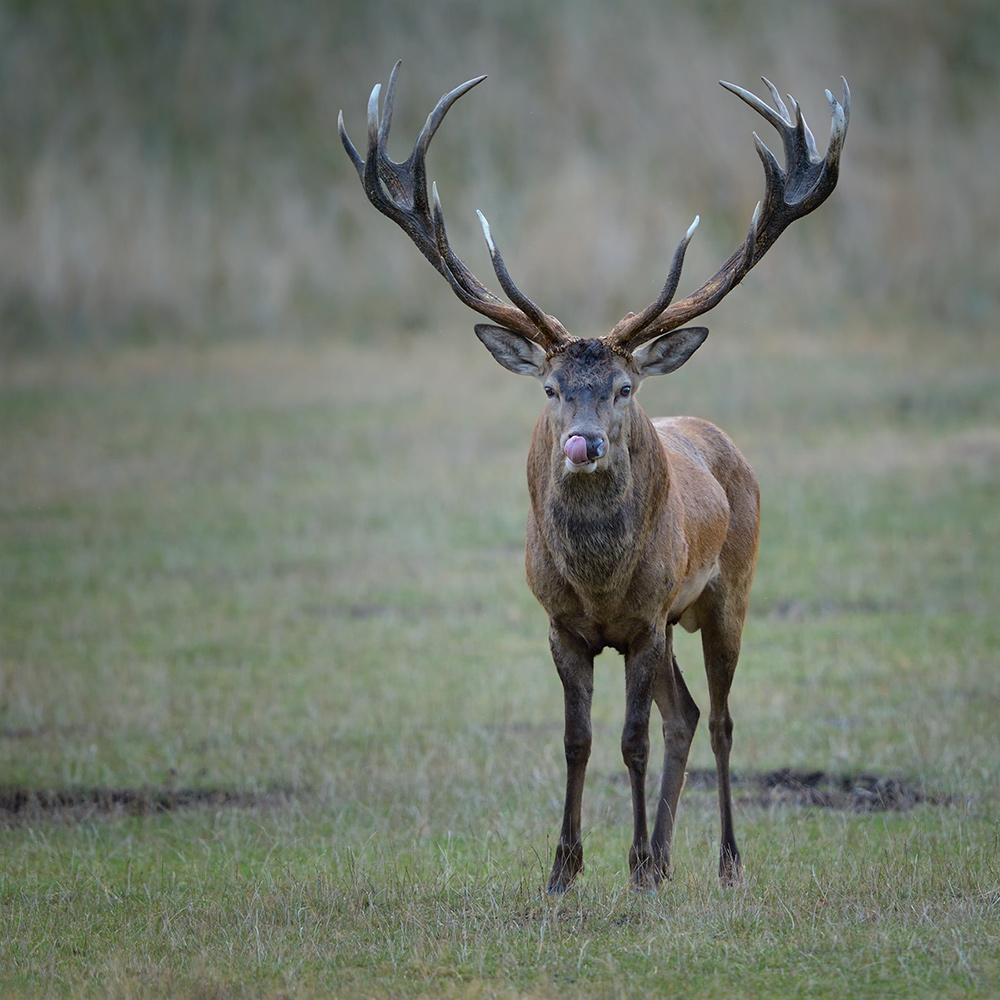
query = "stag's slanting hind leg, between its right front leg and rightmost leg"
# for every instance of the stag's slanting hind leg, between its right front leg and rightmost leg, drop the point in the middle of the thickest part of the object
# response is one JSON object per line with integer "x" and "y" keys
{"x": 680, "y": 719}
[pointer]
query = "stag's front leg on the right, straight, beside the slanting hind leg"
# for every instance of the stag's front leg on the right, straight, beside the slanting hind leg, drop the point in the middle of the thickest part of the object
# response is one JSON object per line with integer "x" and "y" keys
{"x": 641, "y": 667}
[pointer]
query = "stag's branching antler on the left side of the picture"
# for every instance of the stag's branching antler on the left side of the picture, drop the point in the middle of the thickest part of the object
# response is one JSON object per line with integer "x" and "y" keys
{"x": 399, "y": 190}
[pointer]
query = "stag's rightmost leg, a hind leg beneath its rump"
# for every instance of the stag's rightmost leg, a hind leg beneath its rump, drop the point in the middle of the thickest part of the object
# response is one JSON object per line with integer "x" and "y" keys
{"x": 722, "y": 649}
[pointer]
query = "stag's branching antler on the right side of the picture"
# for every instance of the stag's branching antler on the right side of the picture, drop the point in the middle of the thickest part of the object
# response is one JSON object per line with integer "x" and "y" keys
{"x": 802, "y": 186}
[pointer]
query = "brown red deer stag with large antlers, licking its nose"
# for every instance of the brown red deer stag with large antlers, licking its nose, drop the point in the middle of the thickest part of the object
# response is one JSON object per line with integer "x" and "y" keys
{"x": 635, "y": 525}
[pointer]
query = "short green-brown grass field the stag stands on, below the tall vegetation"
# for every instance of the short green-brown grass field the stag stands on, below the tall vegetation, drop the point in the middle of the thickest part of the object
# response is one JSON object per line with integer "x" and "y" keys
{"x": 277, "y": 716}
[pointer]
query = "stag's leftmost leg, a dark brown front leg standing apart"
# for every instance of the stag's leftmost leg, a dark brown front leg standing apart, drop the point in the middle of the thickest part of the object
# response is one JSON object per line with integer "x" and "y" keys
{"x": 576, "y": 670}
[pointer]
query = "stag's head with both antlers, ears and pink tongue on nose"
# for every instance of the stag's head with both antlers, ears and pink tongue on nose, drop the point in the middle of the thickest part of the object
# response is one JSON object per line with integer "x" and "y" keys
{"x": 591, "y": 384}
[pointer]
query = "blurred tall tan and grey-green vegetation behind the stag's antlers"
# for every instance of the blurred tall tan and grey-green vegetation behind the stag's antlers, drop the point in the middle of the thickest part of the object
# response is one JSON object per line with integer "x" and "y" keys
{"x": 172, "y": 168}
